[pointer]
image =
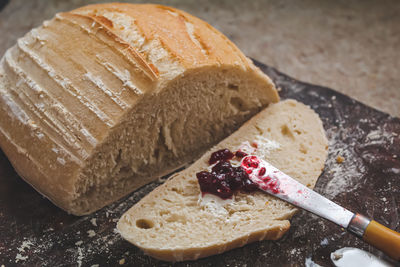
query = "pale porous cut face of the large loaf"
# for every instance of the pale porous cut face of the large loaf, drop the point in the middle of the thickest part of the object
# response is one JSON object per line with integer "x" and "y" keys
{"x": 165, "y": 132}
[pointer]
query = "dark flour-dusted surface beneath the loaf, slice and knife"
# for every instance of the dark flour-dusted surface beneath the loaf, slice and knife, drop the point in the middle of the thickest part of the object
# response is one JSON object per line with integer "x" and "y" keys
{"x": 368, "y": 181}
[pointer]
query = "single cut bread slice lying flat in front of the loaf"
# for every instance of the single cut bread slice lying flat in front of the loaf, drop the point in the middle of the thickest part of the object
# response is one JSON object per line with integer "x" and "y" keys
{"x": 175, "y": 223}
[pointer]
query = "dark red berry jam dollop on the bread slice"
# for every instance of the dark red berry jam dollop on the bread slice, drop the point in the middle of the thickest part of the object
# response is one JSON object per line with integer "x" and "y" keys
{"x": 224, "y": 179}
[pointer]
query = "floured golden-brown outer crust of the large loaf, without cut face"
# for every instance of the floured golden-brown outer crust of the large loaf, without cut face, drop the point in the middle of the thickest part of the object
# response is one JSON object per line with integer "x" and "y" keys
{"x": 57, "y": 111}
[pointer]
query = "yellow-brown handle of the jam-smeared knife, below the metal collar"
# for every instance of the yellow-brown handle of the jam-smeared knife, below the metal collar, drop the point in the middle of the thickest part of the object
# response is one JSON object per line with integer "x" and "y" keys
{"x": 383, "y": 238}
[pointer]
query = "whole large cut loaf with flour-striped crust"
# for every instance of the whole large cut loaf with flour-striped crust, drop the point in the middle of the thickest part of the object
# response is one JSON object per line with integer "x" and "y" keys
{"x": 101, "y": 100}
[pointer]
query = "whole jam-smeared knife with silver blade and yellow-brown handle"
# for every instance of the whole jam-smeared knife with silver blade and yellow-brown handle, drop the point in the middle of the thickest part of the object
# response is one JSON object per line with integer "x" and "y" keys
{"x": 275, "y": 182}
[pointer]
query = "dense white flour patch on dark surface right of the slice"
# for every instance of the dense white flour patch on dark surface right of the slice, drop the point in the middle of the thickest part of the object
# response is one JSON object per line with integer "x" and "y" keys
{"x": 358, "y": 153}
